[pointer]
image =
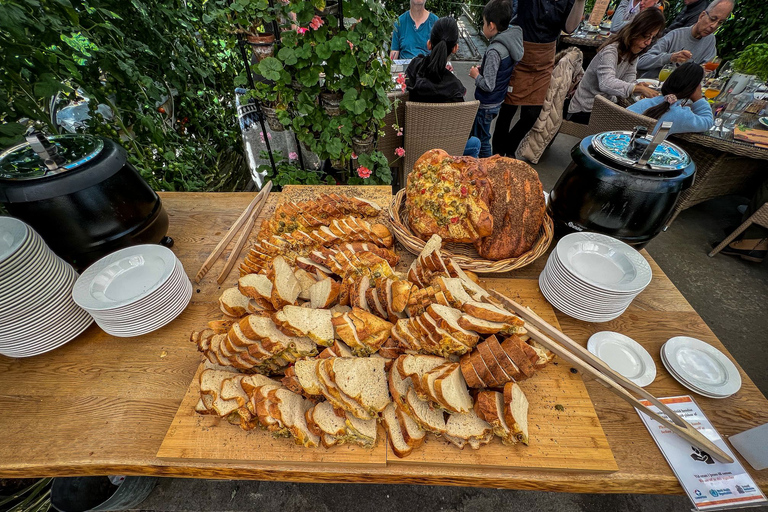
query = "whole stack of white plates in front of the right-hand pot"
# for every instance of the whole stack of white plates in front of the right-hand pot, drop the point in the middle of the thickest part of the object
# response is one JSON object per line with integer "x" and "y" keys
{"x": 593, "y": 277}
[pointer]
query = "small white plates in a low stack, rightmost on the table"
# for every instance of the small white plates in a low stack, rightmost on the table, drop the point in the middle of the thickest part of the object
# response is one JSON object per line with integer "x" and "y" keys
{"x": 700, "y": 367}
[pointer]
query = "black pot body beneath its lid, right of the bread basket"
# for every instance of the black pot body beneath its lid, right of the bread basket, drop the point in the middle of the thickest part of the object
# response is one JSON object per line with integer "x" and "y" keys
{"x": 598, "y": 193}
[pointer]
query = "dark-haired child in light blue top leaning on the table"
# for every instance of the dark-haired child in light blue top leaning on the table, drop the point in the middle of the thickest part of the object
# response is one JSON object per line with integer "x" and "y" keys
{"x": 681, "y": 102}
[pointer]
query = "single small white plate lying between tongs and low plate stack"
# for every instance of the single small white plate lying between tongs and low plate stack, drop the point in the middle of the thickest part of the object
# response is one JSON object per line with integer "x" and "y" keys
{"x": 623, "y": 355}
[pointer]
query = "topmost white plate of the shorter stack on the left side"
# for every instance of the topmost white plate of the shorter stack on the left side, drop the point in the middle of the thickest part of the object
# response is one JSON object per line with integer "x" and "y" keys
{"x": 124, "y": 277}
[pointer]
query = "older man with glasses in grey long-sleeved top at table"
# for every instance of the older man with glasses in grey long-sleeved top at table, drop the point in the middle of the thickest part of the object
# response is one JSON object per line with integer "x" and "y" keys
{"x": 696, "y": 43}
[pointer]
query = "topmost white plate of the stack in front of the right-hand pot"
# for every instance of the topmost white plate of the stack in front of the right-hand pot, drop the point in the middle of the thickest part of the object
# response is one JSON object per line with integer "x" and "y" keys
{"x": 604, "y": 262}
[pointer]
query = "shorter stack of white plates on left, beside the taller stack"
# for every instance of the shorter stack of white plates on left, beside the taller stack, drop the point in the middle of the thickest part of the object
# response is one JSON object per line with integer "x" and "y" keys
{"x": 135, "y": 290}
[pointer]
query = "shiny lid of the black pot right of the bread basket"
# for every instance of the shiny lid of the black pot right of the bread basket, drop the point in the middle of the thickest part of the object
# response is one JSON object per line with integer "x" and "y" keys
{"x": 666, "y": 157}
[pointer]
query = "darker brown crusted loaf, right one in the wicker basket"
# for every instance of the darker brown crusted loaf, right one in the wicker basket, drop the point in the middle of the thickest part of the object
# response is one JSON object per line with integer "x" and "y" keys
{"x": 517, "y": 208}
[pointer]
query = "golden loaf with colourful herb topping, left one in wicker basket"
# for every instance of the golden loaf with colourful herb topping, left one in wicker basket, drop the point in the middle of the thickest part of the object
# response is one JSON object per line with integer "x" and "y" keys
{"x": 449, "y": 196}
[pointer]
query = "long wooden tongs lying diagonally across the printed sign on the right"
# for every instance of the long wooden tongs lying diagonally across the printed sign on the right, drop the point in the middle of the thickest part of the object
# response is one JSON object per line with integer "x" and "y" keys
{"x": 567, "y": 349}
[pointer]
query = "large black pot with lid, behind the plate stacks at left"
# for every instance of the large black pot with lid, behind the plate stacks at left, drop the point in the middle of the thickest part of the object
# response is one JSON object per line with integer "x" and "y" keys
{"x": 86, "y": 201}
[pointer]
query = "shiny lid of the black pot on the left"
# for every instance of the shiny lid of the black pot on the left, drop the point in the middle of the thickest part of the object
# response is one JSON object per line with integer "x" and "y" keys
{"x": 22, "y": 162}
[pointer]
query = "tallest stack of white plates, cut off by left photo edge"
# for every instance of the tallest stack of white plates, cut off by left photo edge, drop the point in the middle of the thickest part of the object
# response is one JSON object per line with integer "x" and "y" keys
{"x": 37, "y": 313}
